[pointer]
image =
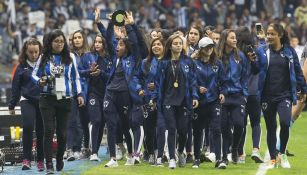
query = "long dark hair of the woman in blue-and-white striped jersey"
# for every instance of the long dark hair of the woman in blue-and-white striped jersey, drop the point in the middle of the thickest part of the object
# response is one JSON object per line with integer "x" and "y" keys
{"x": 47, "y": 49}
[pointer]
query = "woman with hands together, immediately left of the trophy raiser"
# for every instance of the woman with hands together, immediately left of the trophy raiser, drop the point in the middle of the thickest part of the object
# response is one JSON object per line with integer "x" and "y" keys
{"x": 96, "y": 68}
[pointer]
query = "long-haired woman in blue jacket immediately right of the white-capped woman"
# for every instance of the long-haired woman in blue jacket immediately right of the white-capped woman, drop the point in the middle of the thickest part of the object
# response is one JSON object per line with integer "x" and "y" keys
{"x": 234, "y": 90}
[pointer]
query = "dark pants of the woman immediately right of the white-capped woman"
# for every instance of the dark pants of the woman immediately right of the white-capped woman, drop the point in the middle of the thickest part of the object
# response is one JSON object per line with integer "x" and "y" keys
{"x": 233, "y": 112}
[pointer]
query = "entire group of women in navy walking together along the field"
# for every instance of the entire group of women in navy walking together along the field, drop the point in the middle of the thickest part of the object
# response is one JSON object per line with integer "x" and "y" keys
{"x": 189, "y": 92}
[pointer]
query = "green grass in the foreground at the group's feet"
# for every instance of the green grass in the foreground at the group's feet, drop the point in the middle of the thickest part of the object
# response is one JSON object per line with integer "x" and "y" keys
{"x": 297, "y": 145}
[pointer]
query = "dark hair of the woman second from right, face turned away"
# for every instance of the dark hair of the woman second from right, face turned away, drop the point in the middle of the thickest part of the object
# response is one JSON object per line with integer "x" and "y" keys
{"x": 244, "y": 38}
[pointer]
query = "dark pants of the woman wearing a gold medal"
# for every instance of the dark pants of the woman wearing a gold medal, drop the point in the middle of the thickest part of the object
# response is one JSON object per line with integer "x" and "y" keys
{"x": 176, "y": 119}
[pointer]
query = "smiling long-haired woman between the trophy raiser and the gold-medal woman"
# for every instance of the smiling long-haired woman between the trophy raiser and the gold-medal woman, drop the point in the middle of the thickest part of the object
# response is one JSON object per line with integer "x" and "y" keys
{"x": 154, "y": 124}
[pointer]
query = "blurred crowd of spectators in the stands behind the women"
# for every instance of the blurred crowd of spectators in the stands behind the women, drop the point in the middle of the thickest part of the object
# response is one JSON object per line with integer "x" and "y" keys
{"x": 150, "y": 14}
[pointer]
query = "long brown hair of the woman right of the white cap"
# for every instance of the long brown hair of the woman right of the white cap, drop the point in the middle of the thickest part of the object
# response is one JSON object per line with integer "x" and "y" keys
{"x": 221, "y": 52}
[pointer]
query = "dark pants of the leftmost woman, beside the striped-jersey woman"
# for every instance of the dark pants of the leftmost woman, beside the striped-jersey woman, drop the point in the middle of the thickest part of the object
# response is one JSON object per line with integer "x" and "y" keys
{"x": 31, "y": 116}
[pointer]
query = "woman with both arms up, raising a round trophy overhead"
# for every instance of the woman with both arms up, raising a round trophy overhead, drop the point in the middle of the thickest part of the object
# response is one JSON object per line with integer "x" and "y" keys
{"x": 123, "y": 88}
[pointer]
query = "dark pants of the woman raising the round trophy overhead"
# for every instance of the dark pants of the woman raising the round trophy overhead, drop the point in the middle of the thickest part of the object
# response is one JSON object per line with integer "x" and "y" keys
{"x": 117, "y": 108}
